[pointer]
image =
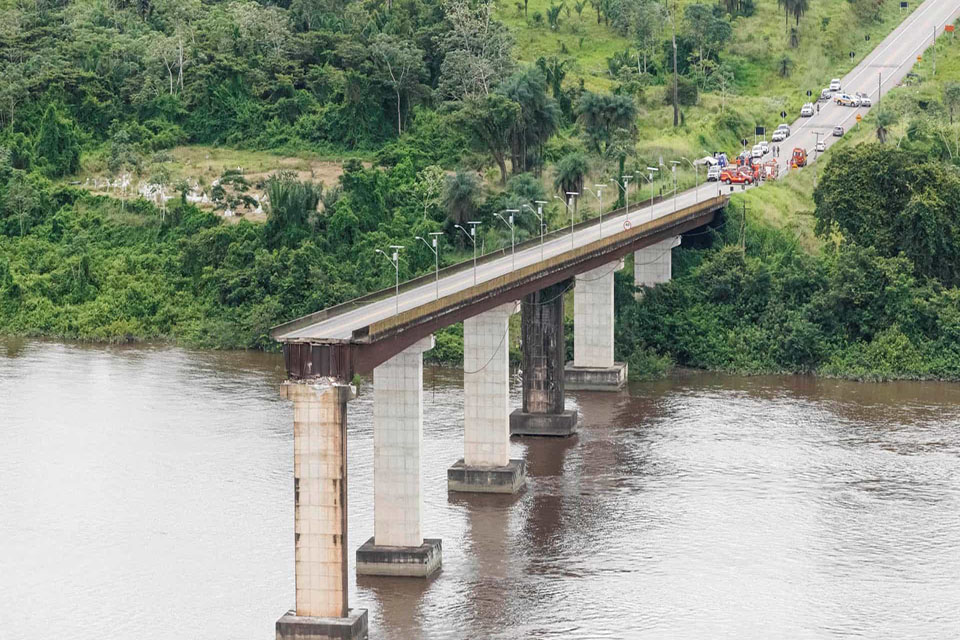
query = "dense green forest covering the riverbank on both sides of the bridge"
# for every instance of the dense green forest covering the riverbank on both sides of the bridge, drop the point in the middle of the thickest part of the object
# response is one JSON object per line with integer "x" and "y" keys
{"x": 435, "y": 119}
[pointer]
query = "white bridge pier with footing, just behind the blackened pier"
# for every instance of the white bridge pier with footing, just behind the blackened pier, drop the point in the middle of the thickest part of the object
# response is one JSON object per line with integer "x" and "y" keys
{"x": 593, "y": 366}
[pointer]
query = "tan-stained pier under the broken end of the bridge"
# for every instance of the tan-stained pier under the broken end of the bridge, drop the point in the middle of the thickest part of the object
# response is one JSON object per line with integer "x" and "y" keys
{"x": 320, "y": 514}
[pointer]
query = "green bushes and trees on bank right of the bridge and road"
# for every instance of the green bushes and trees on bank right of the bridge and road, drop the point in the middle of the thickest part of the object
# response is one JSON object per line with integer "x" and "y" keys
{"x": 855, "y": 276}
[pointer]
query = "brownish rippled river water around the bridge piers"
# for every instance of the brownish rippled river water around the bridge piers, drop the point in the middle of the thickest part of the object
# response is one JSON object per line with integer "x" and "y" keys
{"x": 146, "y": 493}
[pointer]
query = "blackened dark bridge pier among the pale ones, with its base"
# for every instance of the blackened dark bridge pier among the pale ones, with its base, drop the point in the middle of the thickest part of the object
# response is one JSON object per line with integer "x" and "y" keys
{"x": 544, "y": 354}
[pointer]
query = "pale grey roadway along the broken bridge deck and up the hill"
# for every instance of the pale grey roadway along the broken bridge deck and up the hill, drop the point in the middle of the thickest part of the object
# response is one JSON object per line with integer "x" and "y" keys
{"x": 892, "y": 59}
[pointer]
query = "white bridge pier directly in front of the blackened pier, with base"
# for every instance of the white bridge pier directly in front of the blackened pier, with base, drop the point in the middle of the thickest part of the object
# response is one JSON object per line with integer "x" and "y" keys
{"x": 486, "y": 466}
